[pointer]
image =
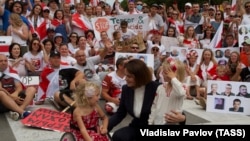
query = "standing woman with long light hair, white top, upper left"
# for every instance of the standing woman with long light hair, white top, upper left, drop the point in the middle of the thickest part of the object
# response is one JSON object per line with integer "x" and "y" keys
{"x": 19, "y": 31}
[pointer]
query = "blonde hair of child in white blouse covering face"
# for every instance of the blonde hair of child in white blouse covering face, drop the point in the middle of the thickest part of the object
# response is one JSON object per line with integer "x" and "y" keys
{"x": 179, "y": 66}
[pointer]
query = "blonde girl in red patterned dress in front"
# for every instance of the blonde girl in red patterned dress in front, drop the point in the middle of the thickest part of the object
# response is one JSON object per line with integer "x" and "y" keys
{"x": 85, "y": 124}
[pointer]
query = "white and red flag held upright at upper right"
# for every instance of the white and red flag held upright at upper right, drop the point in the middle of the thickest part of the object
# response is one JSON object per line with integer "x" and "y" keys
{"x": 217, "y": 40}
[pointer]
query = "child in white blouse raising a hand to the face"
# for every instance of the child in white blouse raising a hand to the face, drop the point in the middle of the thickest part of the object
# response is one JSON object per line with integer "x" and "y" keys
{"x": 170, "y": 94}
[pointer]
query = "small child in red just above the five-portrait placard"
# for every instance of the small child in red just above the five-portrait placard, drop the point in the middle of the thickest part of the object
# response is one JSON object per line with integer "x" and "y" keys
{"x": 221, "y": 74}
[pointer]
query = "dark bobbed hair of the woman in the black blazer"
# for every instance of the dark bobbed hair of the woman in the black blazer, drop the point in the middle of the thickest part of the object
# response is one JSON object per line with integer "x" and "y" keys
{"x": 140, "y": 70}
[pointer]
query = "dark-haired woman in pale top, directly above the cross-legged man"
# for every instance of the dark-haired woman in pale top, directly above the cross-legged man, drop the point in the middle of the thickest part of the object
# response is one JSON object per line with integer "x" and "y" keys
{"x": 16, "y": 61}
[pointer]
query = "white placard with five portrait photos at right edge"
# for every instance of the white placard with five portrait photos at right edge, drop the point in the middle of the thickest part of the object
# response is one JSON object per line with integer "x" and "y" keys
{"x": 224, "y": 96}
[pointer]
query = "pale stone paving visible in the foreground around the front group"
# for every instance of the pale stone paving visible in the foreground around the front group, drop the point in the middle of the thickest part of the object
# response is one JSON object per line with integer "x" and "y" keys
{"x": 15, "y": 131}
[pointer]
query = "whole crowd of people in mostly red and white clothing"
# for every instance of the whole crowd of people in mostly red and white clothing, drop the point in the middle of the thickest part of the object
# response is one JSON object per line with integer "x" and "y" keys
{"x": 56, "y": 41}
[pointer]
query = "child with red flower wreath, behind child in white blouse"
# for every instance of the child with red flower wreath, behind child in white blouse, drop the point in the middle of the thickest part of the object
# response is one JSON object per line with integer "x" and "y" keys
{"x": 192, "y": 78}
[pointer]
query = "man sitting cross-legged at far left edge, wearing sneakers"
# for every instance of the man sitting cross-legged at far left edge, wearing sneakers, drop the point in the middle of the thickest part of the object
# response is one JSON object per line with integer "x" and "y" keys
{"x": 13, "y": 95}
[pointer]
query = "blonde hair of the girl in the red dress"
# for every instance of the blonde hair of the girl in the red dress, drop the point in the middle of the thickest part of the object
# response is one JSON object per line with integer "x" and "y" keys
{"x": 85, "y": 91}
